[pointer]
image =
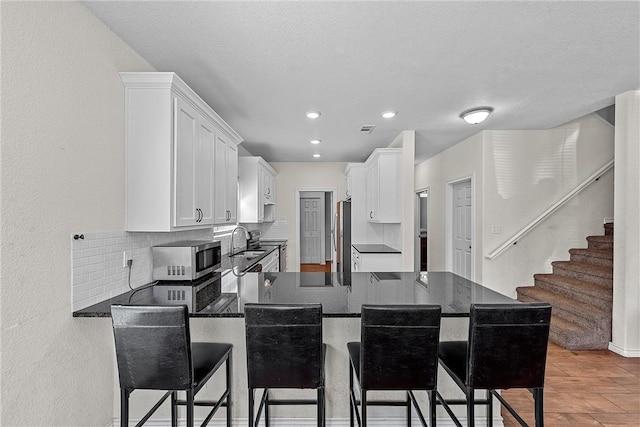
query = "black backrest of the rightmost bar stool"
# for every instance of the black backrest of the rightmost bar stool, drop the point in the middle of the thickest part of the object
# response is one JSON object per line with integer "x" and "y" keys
{"x": 507, "y": 345}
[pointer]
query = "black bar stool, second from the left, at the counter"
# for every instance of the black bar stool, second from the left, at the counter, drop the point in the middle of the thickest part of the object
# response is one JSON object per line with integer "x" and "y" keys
{"x": 284, "y": 350}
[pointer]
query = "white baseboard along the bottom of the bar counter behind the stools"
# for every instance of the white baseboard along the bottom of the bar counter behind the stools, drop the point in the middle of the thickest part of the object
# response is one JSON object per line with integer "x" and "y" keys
{"x": 311, "y": 422}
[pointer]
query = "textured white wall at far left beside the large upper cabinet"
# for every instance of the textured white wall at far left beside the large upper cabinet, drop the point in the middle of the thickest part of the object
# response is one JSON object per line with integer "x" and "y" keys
{"x": 62, "y": 172}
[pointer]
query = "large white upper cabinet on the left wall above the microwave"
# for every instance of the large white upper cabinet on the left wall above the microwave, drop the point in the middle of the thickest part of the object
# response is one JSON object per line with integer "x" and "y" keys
{"x": 170, "y": 148}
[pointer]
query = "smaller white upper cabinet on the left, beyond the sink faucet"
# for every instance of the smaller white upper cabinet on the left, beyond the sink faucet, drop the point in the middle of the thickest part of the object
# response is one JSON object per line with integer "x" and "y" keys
{"x": 257, "y": 190}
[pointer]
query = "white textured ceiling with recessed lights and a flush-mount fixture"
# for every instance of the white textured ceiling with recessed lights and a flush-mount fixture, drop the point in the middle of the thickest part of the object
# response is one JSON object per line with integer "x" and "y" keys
{"x": 262, "y": 65}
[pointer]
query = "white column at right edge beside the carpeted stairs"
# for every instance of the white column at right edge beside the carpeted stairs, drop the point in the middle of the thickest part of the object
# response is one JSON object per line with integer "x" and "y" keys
{"x": 626, "y": 259}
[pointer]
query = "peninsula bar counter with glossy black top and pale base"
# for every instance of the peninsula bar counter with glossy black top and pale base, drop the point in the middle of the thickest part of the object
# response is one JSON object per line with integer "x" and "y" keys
{"x": 216, "y": 315}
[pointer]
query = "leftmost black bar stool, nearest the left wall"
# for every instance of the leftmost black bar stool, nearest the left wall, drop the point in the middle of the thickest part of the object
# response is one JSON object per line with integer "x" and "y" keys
{"x": 154, "y": 352}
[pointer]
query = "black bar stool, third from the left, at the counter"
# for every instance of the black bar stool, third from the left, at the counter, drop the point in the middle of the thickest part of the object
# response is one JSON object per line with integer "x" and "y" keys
{"x": 398, "y": 351}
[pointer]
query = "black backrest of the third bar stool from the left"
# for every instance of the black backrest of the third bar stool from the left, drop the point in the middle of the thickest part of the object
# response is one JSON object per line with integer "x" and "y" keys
{"x": 399, "y": 347}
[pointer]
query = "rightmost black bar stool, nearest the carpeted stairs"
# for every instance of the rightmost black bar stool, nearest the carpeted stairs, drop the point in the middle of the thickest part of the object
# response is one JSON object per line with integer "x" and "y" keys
{"x": 507, "y": 348}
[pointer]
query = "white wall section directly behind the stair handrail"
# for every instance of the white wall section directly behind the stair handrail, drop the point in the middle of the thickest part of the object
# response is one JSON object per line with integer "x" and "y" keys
{"x": 525, "y": 173}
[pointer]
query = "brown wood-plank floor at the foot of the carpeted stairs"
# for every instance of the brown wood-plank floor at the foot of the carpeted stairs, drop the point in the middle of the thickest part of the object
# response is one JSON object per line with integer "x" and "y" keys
{"x": 583, "y": 388}
